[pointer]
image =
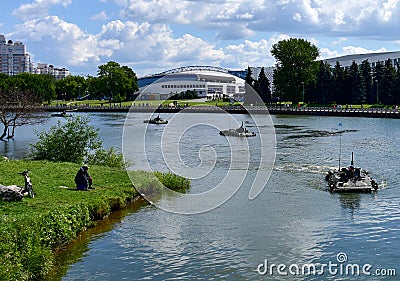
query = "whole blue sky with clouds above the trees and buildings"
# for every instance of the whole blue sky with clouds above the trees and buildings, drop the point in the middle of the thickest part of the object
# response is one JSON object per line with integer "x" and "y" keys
{"x": 151, "y": 36}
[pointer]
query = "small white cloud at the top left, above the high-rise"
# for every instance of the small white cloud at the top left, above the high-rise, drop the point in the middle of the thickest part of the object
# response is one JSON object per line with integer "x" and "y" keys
{"x": 38, "y": 8}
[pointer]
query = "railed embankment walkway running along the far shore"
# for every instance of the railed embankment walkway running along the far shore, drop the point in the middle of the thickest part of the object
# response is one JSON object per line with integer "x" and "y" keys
{"x": 273, "y": 110}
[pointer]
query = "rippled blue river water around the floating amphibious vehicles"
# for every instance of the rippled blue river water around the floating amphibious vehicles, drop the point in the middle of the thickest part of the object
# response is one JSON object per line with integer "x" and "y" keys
{"x": 294, "y": 222}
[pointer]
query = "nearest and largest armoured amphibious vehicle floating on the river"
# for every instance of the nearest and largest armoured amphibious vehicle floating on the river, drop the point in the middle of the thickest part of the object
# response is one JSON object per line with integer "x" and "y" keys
{"x": 350, "y": 179}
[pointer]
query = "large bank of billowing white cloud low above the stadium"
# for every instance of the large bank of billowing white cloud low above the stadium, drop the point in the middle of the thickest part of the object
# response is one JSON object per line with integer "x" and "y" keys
{"x": 150, "y": 46}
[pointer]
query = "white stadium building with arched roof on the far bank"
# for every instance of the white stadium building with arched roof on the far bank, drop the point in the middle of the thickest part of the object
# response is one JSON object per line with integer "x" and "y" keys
{"x": 206, "y": 81}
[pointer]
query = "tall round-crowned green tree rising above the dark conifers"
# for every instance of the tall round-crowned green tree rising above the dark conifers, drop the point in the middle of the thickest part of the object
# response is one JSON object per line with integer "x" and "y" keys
{"x": 296, "y": 67}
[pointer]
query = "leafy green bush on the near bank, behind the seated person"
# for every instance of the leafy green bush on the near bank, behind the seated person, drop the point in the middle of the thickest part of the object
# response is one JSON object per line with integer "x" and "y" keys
{"x": 73, "y": 141}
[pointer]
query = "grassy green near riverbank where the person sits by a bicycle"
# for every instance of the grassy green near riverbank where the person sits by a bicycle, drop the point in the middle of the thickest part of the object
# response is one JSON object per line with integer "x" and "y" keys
{"x": 32, "y": 229}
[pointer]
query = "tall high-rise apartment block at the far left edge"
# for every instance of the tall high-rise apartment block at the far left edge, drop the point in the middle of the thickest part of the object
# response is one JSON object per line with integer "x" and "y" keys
{"x": 13, "y": 57}
